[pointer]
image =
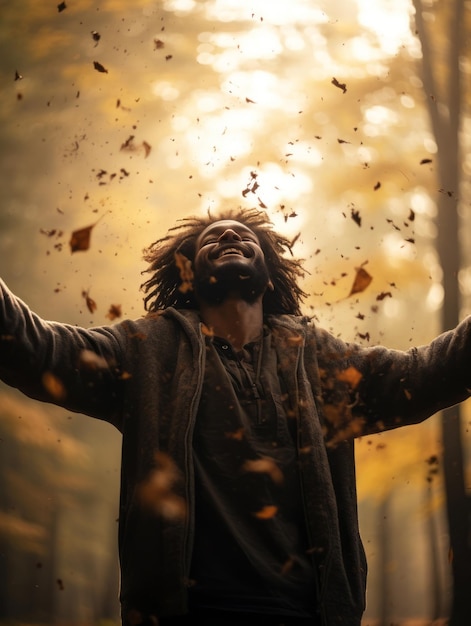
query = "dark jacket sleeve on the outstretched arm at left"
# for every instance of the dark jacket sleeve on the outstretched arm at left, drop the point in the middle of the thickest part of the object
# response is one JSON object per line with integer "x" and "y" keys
{"x": 79, "y": 369}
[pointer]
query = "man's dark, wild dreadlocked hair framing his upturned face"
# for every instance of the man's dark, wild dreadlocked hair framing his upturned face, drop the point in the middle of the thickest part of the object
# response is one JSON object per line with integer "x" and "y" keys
{"x": 171, "y": 257}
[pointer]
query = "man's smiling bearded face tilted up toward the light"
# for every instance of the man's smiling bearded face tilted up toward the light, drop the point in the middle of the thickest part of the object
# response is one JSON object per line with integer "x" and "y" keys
{"x": 229, "y": 261}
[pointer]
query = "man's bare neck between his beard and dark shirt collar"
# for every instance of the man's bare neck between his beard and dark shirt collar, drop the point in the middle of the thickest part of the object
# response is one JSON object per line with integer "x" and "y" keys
{"x": 235, "y": 320}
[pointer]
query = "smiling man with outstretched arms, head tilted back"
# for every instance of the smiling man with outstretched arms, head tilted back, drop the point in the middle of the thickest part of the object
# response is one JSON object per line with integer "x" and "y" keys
{"x": 238, "y": 501}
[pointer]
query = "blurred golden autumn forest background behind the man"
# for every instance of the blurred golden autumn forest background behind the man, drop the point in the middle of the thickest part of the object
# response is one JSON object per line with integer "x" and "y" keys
{"x": 348, "y": 122}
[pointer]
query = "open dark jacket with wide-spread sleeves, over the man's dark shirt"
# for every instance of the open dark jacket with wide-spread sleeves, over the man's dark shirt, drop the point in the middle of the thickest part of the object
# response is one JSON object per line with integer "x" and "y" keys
{"x": 145, "y": 377}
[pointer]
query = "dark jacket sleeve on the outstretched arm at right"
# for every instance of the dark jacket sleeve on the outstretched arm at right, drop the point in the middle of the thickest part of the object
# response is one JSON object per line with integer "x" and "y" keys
{"x": 366, "y": 390}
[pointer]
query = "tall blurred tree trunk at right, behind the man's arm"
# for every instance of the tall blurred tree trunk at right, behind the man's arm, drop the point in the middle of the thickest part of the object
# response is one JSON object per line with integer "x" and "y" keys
{"x": 444, "y": 101}
